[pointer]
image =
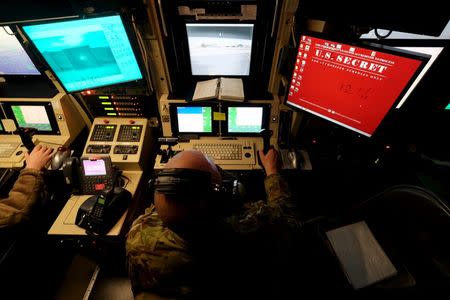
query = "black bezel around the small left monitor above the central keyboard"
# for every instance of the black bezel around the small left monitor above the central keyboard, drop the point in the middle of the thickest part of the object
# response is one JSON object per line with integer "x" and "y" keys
{"x": 174, "y": 119}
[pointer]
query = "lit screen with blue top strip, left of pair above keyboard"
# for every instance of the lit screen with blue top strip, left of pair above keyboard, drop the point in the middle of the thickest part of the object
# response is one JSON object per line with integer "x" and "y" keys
{"x": 194, "y": 119}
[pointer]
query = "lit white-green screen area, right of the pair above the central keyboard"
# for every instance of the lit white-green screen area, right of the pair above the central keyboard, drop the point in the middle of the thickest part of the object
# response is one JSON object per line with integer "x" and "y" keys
{"x": 245, "y": 119}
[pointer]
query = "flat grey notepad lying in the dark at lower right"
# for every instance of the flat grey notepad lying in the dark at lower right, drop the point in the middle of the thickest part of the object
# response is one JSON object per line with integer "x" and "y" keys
{"x": 362, "y": 259}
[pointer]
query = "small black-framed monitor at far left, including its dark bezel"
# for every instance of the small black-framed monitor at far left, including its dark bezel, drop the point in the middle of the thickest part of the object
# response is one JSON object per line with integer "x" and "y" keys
{"x": 38, "y": 115}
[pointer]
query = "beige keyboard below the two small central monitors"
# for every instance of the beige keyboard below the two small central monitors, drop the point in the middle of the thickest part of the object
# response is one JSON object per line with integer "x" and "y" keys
{"x": 227, "y": 152}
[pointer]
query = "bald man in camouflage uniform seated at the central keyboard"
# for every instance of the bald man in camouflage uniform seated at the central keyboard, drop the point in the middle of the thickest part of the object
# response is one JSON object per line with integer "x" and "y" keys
{"x": 182, "y": 247}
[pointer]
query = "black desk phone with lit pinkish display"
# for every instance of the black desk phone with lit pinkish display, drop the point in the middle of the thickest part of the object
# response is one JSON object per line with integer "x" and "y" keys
{"x": 90, "y": 176}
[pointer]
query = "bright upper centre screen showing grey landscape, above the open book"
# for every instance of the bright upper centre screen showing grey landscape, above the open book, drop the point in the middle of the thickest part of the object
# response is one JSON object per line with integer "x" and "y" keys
{"x": 220, "y": 49}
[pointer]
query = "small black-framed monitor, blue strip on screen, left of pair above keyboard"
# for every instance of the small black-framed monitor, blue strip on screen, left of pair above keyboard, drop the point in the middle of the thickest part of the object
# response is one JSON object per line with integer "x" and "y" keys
{"x": 193, "y": 119}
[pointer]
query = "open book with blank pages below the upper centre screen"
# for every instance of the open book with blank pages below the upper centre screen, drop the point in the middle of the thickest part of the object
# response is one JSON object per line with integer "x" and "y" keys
{"x": 231, "y": 89}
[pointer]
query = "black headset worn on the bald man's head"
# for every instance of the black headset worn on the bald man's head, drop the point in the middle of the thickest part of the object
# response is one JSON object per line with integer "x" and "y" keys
{"x": 197, "y": 183}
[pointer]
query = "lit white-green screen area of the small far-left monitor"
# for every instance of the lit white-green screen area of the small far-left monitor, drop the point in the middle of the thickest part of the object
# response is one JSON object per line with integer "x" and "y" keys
{"x": 34, "y": 116}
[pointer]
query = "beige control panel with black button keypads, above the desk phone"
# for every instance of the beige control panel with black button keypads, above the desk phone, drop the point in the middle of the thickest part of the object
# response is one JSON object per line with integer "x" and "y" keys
{"x": 123, "y": 139}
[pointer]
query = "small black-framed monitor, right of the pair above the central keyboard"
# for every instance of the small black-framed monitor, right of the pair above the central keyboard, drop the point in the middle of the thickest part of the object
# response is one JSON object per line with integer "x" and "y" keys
{"x": 245, "y": 119}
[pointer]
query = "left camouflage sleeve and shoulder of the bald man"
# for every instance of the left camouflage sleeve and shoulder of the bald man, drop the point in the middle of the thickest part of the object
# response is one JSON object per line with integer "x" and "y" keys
{"x": 156, "y": 257}
